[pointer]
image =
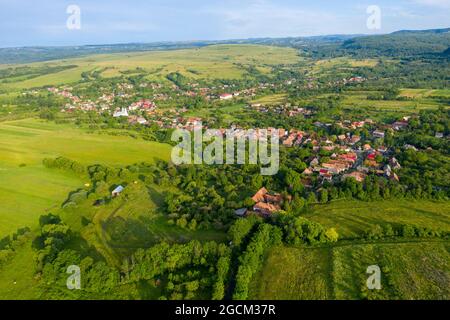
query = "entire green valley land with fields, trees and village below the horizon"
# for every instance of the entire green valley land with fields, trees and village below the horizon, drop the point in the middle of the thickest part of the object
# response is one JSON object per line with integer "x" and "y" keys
{"x": 361, "y": 175}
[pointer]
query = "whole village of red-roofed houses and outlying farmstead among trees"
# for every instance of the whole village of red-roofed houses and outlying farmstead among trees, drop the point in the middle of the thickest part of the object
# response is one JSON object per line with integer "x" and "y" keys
{"x": 357, "y": 152}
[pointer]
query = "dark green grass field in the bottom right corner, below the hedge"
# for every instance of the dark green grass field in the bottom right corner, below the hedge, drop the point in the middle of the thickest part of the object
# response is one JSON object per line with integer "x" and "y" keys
{"x": 408, "y": 271}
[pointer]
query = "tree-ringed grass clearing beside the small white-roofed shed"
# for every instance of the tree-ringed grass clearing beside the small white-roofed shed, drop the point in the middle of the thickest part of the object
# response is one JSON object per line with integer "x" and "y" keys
{"x": 129, "y": 222}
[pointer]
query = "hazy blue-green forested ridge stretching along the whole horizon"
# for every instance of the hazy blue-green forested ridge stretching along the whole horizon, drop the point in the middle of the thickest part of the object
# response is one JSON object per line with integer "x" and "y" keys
{"x": 403, "y": 43}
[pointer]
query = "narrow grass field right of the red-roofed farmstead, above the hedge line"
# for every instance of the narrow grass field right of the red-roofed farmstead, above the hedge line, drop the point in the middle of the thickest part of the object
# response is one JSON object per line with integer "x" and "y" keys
{"x": 351, "y": 218}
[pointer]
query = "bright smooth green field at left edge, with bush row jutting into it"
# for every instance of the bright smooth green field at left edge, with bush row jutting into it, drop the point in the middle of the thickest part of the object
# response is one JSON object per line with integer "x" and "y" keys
{"x": 28, "y": 189}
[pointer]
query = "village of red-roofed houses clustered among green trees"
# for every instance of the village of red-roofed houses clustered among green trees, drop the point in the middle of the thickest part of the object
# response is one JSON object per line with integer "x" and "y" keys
{"x": 334, "y": 157}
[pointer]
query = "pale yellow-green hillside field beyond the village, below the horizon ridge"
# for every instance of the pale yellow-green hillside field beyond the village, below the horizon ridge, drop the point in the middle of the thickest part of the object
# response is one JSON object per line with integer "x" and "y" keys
{"x": 211, "y": 62}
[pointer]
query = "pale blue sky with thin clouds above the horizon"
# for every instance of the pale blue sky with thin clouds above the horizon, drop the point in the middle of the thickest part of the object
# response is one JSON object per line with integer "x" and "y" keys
{"x": 44, "y": 22}
